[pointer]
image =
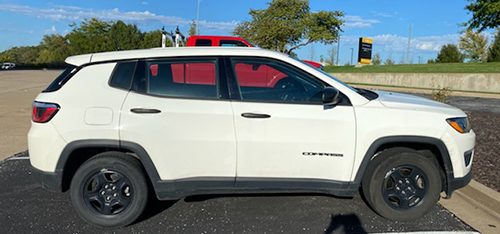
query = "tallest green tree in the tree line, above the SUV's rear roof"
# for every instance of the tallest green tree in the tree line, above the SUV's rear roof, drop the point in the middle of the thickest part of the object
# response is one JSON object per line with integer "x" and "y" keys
{"x": 91, "y": 36}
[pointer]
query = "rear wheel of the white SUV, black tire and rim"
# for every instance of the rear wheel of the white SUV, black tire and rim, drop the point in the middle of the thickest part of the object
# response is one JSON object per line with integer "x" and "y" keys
{"x": 110, "y": 190}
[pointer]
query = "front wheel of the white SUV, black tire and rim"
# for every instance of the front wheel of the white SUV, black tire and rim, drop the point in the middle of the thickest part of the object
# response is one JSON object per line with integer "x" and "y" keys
{"x": 401, "y": 185}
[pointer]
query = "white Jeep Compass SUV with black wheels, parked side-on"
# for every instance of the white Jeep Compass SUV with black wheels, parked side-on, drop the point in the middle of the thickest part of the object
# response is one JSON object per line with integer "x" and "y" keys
{"x": 116, "y": 127}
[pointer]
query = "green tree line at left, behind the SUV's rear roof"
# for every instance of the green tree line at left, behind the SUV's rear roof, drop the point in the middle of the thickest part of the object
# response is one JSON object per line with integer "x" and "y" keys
{"x": 90, "y": 36}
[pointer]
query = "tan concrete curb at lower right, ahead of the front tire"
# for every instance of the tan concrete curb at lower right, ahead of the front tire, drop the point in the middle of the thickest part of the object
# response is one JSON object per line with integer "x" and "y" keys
{"x": 476, "y": 205}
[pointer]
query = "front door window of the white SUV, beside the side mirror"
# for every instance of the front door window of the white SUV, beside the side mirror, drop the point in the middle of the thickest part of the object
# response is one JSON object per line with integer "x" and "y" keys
{"x": 271, "y": 81}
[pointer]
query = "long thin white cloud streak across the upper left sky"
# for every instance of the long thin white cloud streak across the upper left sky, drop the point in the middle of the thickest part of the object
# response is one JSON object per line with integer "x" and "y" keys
{"x": 71, "y": 13}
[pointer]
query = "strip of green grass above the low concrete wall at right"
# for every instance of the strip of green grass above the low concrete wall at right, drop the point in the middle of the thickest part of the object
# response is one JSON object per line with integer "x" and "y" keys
{"x": 420, "y": 68}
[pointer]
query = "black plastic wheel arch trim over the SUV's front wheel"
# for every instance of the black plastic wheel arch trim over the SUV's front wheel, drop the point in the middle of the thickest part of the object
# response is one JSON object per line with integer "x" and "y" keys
{"x": 436, "y": 146}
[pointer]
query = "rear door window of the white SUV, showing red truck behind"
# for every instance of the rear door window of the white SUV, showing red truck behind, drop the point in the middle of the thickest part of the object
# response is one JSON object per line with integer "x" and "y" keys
{"x": 191, "y": 79}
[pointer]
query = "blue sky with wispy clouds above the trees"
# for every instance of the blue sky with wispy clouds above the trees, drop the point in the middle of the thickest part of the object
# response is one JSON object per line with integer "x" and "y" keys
{"x": 433, "y": 23}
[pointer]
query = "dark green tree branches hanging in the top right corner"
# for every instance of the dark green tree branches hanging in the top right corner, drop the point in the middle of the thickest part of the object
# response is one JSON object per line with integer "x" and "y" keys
{"x": 485, "y": 14}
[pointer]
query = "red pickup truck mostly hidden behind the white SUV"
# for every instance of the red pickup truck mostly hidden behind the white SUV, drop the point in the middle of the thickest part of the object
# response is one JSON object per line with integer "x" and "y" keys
{"x": 230, "y": 41}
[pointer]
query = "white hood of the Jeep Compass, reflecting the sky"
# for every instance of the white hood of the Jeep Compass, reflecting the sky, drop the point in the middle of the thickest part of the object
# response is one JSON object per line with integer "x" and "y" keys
{"x": 405, "y": 101}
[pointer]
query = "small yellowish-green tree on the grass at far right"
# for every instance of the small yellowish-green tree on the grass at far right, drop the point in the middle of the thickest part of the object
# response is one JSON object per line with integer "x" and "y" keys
{"x": 474, "y": 45}
